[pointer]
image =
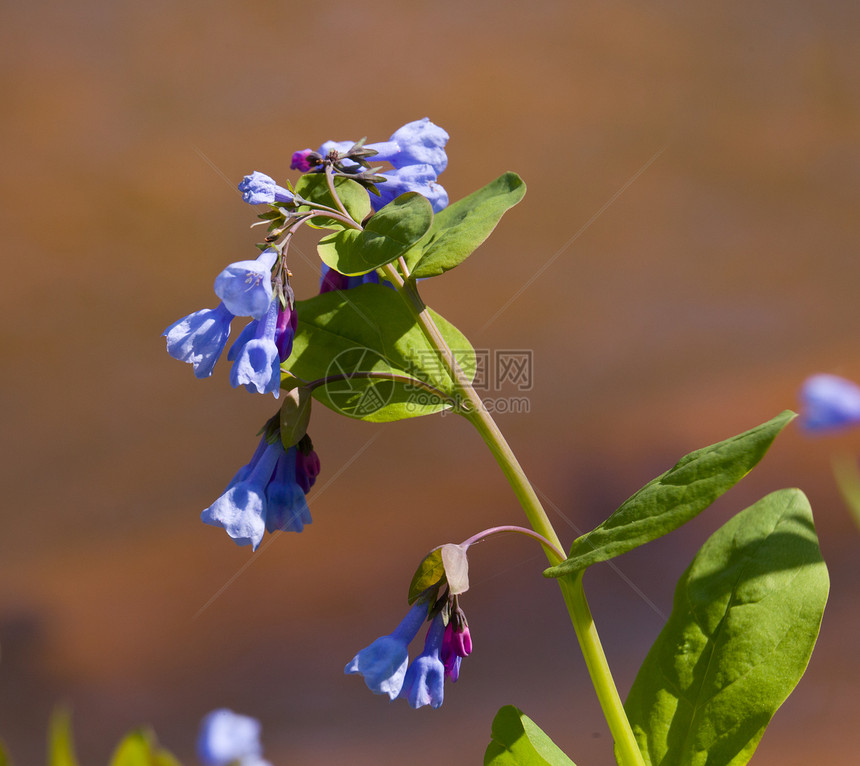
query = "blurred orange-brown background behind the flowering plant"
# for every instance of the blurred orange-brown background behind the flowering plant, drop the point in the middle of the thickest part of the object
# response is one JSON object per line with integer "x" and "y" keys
{"x": 675, "y": 307}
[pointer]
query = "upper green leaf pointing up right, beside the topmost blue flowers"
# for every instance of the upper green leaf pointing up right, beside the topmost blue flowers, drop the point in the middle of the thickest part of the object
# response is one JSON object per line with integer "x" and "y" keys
{"x": 462, "y": 226}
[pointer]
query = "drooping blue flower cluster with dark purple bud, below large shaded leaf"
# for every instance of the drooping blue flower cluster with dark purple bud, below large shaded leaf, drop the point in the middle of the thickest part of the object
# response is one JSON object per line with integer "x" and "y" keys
{"x": 267, "y": 494}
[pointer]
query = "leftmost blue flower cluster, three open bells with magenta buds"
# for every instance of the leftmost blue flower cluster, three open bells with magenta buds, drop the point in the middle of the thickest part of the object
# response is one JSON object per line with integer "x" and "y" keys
{"x": 246, "y": 290}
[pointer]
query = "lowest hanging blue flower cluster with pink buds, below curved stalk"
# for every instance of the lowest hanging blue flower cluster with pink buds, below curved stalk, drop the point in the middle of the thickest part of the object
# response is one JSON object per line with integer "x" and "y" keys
{"x": 385, "y": 663}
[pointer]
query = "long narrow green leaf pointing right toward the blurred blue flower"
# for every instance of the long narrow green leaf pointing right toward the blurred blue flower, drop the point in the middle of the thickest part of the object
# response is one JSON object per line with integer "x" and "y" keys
{"x": 673, "y": 498}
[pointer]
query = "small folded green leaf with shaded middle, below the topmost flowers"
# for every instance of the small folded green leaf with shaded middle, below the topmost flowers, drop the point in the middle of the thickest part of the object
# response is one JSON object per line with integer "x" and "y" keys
{"x": 391, "y": 232}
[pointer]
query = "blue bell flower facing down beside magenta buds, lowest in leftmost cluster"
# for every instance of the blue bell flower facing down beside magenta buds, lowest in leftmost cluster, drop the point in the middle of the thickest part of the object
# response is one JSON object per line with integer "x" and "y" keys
{"x": 255, "y": 355}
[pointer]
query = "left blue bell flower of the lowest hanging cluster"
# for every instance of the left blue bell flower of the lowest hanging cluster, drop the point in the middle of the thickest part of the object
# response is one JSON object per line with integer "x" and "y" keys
{"x": 383, "y": 664}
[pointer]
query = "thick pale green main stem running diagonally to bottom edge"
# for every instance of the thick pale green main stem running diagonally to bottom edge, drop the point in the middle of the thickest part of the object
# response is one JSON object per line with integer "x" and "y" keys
{"x": 571, "y": 588}
